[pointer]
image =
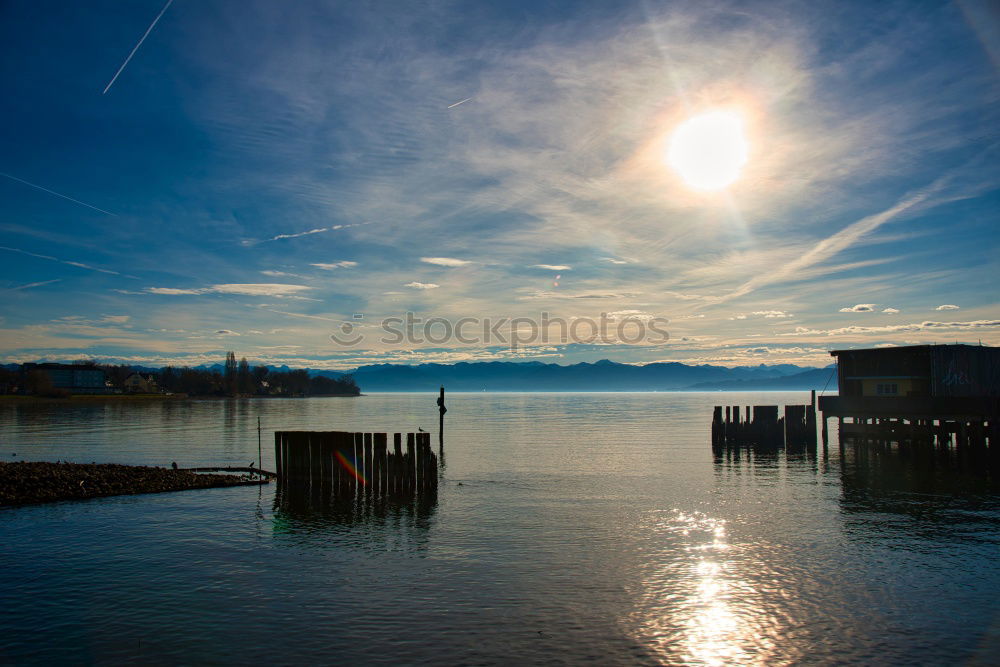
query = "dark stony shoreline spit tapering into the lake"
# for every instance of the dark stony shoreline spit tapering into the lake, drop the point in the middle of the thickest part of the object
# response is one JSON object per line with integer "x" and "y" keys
{"x": 30, "y": 482}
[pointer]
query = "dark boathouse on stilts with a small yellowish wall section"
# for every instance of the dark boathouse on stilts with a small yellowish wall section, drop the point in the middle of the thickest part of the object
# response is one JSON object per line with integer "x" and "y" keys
{"x": 917, "y": 390}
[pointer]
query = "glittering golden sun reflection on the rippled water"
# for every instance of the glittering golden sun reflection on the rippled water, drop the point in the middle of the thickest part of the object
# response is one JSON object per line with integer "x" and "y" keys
{"x": 693, "y": 606}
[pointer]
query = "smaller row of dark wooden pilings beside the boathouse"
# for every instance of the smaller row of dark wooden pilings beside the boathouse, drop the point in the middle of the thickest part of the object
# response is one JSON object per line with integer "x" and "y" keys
{"x": 762, "y": 427}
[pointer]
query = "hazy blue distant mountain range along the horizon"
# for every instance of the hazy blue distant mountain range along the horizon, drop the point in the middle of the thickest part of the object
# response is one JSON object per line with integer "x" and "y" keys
{"x": 602, "y": 375}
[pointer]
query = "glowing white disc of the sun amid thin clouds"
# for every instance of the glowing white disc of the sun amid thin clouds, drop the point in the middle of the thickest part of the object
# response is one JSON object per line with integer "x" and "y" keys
{"x": 709, "y": 150}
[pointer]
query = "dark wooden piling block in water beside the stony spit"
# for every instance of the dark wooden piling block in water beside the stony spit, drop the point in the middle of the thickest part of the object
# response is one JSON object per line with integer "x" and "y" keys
{"x": 350, "y": 463}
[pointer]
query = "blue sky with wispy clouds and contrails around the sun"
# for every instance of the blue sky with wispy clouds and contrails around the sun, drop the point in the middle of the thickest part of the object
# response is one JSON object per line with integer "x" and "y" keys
{"x": 181, "y": 179}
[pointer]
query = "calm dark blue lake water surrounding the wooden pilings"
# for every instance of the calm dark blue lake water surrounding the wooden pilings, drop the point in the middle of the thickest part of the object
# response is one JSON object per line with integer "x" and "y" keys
{"x": 567, "y": 528}
